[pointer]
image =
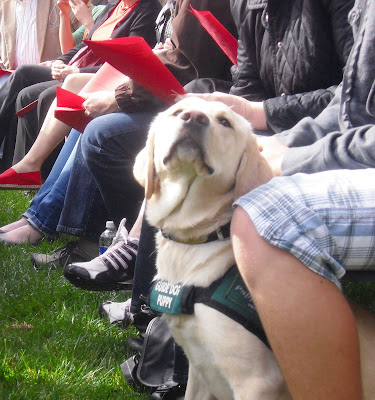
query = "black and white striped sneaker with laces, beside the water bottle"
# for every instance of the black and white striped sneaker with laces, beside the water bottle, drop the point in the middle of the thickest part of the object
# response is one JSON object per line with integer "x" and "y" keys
{"x": 112, "y": 270}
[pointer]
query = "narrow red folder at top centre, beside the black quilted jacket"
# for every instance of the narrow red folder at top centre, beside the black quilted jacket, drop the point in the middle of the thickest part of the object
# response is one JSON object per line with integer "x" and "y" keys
{"x": 227, "y": 42}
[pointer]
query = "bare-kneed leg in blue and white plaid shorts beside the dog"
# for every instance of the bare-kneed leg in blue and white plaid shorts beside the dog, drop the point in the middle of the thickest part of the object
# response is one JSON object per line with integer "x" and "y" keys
{"x": 307, "y": 320}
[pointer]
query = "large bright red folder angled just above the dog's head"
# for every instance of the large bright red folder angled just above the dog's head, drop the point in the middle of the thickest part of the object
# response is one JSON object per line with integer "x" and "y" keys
{"x": 135, "y": 58}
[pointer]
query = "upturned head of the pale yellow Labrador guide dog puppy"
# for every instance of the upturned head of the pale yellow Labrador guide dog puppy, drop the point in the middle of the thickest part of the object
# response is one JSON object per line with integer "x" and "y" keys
{"x": 198, "y": 158}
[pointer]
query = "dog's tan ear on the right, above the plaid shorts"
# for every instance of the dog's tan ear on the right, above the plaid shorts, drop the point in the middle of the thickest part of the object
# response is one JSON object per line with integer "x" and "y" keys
{"x": 253, "y": 170}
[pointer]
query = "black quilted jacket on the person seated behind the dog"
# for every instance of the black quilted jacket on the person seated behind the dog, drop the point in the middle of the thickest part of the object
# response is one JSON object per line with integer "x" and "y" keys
{"x": 290, "y": 55}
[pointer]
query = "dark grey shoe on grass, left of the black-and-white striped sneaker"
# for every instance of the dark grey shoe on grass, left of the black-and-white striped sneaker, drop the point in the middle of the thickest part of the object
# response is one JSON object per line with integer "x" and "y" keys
{"x": 72, "y": 252}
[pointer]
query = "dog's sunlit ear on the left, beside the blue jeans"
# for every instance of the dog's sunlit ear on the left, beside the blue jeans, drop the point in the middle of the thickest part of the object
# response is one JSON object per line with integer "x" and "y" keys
{"x": 144, "y": 167}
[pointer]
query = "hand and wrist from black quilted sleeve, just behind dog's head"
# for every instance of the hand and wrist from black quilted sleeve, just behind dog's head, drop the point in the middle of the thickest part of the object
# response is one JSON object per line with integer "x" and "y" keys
{"x": 251, "y": 110}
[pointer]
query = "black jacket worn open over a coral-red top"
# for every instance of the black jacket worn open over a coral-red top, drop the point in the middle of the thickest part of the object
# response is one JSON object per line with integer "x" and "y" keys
{"x": 141, "y": 22}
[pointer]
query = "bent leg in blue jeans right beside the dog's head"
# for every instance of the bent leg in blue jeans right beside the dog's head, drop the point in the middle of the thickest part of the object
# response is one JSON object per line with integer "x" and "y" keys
{"x": 109, "y": 146}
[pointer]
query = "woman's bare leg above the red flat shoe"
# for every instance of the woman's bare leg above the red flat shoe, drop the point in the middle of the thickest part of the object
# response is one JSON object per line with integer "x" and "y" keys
{"x": 53, "y": 130}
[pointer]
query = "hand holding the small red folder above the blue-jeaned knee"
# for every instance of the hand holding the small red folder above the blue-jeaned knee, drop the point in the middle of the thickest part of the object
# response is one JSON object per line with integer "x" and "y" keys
{"x": 99, "y": 103}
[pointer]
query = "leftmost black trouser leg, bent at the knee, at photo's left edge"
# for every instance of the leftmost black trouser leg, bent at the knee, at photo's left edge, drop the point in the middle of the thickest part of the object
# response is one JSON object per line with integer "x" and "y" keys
{"x": 23, "y": 76}
